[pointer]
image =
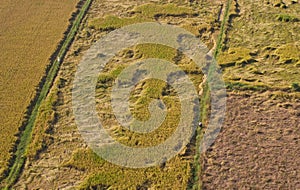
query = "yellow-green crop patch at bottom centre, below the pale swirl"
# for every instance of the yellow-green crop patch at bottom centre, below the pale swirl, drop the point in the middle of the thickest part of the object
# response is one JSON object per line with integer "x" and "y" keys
{"x": 174, "y": 175}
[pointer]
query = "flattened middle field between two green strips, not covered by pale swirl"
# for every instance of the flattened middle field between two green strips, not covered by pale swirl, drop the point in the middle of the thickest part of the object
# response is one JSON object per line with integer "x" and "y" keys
{"x": 58, "y": 156}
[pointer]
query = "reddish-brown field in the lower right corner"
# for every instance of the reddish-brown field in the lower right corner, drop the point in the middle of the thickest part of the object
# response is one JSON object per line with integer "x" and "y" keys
{"x": 258, "y": 146}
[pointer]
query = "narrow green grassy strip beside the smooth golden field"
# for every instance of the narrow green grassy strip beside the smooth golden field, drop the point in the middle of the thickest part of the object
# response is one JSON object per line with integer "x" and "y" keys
{"x": 20, "y": 156}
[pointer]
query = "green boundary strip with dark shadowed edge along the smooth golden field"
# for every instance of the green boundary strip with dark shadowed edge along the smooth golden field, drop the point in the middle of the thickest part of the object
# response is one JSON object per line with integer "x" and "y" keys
{"x": 57, "y": 58}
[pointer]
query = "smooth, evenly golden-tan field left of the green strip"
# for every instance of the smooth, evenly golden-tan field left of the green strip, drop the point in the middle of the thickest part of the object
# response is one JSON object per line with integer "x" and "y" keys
{"x": 29, "y": 33}
